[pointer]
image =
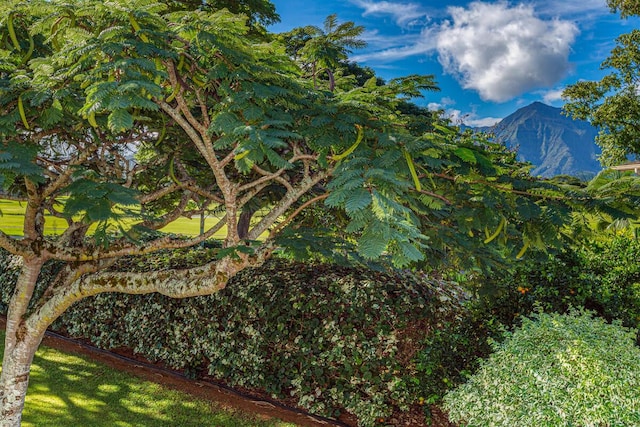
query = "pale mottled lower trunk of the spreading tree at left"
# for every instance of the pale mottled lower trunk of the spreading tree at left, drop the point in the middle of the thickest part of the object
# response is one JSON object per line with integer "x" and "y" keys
{"x": 20, "y": 346}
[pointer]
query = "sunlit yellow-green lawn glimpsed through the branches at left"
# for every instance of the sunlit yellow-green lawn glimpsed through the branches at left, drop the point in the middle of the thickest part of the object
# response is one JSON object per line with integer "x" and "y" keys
{"x": 11, "y": 222}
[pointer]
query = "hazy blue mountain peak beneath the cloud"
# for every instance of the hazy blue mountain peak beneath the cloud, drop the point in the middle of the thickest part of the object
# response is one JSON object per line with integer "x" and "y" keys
{"x": 553, "y": 143}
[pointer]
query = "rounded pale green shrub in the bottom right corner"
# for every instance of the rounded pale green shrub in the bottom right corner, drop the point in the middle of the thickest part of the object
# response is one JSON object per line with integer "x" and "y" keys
{"x": 555, "y": 370}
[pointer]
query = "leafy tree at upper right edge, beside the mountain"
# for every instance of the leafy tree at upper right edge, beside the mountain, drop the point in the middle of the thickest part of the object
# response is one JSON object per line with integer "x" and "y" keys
{"x": 613, "y": 103}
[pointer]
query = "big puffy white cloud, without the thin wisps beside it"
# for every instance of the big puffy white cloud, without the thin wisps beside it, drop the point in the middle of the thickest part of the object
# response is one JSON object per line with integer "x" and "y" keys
{"x": 503, "y": 51}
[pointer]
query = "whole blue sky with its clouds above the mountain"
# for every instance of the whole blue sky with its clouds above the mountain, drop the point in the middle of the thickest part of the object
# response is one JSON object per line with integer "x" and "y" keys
{"x": 489, "y": 58}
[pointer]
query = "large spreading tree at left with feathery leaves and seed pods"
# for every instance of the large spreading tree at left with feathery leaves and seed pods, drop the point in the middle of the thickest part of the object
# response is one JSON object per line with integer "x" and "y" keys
{"x": 215, "y": 118}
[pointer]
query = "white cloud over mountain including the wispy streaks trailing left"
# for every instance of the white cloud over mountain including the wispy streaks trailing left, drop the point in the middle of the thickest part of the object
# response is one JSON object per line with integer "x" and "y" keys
{"x": 497, "y": 49}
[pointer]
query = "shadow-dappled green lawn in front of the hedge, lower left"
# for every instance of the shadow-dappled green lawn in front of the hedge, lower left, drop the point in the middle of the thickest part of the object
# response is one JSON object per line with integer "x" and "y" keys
{"x": 69, "y": 391}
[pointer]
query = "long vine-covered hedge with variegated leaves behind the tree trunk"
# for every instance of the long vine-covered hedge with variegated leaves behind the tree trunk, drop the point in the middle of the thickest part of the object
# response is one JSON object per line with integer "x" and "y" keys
{"x": 333, "y": 338}
